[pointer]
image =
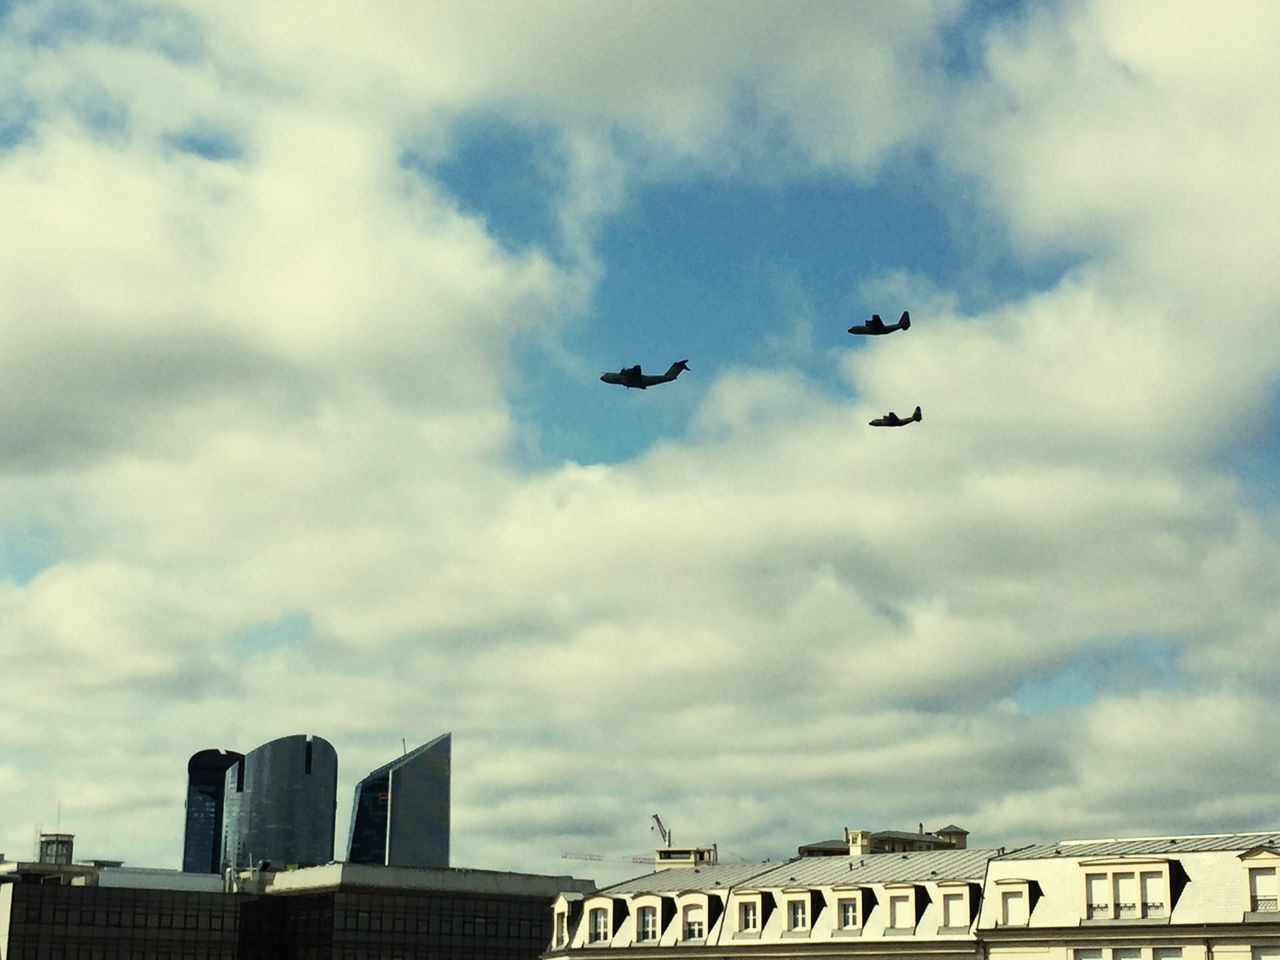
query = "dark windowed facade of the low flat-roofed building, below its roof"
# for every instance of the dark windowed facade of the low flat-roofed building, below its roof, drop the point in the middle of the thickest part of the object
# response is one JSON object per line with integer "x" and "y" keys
{"x": 61, "y": 922}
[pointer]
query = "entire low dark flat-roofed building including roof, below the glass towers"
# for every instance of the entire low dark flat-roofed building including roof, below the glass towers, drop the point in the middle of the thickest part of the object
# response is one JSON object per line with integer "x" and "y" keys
{"x": 335, "y": 912}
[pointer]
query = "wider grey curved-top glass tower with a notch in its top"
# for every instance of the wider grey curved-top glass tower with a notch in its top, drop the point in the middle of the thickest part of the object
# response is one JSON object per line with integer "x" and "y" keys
{"x": 280, "y": 804}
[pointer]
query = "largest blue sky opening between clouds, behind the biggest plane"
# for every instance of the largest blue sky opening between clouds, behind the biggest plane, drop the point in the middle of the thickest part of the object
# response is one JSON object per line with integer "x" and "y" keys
{"x": 723, "y": 272}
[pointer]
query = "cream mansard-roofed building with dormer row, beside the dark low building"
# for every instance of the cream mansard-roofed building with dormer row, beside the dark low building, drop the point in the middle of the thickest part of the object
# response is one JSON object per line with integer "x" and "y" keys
{"x": 885, "y": 904}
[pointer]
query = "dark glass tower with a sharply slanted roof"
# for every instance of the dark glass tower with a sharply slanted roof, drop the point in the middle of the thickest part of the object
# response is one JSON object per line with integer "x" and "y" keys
{"x": 401, "y": 811}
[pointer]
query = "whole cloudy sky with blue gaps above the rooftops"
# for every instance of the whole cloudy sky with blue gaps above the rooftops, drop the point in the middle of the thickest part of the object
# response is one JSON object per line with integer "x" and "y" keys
{"x": 301, "y": 431}
